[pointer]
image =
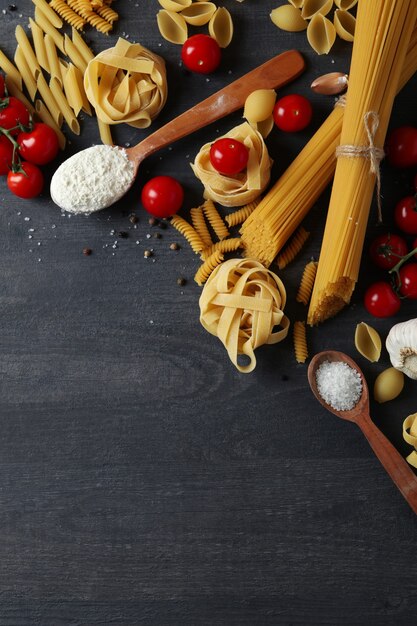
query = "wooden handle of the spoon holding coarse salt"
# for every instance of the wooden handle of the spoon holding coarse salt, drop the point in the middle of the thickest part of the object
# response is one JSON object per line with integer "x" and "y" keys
{"x": 396, "y": 466}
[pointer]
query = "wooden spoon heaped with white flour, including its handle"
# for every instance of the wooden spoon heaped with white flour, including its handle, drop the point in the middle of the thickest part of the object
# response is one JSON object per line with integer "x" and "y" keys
{"x": 274, "y": 73}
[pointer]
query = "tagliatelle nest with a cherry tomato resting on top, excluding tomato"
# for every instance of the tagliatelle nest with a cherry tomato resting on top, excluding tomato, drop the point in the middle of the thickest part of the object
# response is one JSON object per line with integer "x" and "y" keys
{"x": 241, "y": 188}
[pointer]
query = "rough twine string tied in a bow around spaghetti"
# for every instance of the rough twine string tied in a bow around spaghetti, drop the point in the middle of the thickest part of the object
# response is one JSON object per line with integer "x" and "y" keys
{"x": 370, "y": 152}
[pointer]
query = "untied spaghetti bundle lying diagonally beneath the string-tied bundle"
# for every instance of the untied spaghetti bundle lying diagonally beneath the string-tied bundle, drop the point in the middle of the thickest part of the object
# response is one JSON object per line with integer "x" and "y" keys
{"x": 284, "y": 207}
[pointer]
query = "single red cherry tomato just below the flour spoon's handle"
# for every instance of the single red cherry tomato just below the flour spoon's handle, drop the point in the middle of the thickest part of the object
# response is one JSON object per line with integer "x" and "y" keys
{"x": 162, "y": 196}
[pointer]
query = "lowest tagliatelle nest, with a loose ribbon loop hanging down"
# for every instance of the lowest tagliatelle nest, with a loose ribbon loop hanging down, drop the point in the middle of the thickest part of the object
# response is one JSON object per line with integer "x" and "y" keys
{"x": 241, "y": 304}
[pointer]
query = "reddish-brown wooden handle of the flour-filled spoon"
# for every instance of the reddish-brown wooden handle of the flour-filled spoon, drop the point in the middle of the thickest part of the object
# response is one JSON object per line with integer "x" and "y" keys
{"x": 274, "y": 73}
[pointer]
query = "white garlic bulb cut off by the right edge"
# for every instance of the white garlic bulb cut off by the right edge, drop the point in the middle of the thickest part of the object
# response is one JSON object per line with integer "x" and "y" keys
{"x": 402, "y": 347}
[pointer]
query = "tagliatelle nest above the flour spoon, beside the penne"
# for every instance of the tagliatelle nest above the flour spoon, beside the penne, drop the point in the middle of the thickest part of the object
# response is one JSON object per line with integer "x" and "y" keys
{"x": 126, "y": 83}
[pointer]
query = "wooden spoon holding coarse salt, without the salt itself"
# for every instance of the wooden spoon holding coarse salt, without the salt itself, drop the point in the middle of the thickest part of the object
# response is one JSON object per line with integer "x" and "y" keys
{"x": 396, "y": 466}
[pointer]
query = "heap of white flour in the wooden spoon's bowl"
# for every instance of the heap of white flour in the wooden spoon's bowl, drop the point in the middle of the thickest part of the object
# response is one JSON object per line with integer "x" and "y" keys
{"x": 92, "y": 179}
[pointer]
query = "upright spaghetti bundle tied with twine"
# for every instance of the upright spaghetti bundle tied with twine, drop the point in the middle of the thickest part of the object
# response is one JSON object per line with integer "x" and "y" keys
{"x": 382, "y": 37}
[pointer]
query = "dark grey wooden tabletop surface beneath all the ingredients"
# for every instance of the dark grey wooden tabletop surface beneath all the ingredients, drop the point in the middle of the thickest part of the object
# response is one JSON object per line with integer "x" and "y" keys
{"x": 142, "y": 479}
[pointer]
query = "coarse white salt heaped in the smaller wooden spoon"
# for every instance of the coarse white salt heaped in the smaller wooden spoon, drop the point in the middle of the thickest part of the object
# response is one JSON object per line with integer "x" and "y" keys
{"x": 339, "y": 385}
